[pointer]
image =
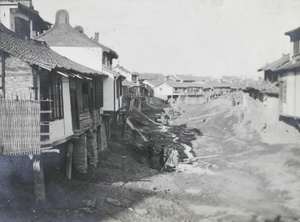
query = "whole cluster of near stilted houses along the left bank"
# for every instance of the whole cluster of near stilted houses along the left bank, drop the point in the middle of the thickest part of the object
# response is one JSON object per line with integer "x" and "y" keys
{"x": 58, "y": 91}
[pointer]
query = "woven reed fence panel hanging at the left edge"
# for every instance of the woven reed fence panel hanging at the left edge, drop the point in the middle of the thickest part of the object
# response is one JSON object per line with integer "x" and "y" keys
{"x": 19, "y": 127}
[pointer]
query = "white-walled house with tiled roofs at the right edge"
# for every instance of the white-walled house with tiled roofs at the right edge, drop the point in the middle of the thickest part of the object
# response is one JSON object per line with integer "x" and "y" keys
{"x": 282, "y": 79}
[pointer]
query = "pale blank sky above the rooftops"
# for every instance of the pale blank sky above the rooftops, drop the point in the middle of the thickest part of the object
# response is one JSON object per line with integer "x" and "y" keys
{"x": 199, "y": 37}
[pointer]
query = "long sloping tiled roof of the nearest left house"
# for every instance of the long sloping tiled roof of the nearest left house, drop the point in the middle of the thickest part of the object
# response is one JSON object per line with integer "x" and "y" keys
{"x": 36, "y": 53}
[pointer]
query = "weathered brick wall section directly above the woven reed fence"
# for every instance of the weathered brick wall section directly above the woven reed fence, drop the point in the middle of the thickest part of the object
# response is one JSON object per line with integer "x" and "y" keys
{"x": 18, "y": 79}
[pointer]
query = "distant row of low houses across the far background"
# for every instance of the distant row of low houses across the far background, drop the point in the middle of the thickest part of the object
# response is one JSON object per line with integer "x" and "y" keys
{"x": 171, "y": 87}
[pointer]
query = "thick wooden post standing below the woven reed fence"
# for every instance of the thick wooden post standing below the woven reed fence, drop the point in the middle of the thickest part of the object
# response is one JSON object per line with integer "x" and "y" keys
{"x": 39, "y": 184}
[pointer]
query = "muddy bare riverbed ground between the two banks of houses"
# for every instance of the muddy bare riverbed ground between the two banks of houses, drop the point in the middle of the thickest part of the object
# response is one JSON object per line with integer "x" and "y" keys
{"x": 235, "y": 178}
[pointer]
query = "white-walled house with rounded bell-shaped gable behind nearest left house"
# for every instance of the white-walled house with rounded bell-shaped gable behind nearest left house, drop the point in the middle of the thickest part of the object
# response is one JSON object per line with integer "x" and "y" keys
{"x": 74, "y": 44}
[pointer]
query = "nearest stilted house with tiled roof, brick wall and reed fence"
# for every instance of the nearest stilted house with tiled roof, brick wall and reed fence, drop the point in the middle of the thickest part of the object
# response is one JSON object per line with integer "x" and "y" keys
{"x": 39, "y": 111}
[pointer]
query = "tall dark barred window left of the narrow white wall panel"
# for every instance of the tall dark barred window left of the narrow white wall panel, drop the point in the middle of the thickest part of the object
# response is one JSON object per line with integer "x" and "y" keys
{"x": 57, "y": 97}
